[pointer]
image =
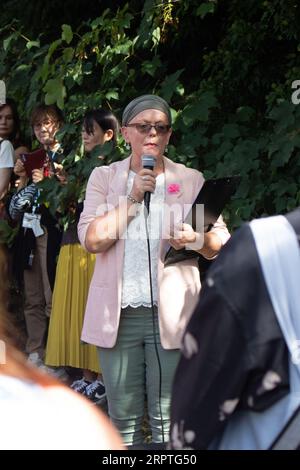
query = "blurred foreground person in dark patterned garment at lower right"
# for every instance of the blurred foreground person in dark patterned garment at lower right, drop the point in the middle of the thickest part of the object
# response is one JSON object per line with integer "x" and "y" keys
{"x": 238, "y": 380}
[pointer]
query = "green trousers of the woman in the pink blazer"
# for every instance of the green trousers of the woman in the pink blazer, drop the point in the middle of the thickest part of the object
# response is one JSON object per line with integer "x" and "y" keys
{"x": 131, "y": 373}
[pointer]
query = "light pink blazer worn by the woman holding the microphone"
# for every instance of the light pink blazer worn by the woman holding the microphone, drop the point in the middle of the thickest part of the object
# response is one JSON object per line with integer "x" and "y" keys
{"x": 178, "y": 285}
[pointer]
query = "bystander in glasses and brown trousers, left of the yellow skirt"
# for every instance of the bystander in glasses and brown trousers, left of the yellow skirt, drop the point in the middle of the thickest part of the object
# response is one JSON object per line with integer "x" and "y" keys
{"x": 37, "y": 254}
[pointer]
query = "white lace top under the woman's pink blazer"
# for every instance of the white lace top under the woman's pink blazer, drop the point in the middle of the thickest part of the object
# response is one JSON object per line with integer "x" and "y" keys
{"x": 136, "y": 287}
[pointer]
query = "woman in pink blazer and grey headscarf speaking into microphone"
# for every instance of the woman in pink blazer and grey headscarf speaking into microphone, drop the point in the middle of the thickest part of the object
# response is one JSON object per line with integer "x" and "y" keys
{"x": 138, "y": 345}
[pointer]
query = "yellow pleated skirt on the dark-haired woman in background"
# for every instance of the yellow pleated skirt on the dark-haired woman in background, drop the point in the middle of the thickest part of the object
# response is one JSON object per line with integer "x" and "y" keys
{"x": 74, "y": 271}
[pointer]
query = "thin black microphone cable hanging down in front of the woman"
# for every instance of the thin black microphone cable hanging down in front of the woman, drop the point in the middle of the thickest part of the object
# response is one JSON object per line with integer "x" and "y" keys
{"x": 146, "y": 213}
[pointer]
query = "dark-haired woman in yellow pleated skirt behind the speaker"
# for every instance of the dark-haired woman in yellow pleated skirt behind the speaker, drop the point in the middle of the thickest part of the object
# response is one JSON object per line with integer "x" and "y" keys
{"x": 74, "y": 271}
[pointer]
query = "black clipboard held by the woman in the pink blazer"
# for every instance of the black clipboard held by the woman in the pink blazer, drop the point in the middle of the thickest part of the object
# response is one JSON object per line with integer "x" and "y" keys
{"x": 214, "y": 195}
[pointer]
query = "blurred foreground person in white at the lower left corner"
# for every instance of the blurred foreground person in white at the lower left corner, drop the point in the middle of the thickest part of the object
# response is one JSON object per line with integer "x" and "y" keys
{"x": 37, "y": 412}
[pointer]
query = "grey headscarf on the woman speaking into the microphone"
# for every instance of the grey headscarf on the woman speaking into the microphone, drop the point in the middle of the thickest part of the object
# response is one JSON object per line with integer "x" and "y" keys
{"x": 142, "y": 103}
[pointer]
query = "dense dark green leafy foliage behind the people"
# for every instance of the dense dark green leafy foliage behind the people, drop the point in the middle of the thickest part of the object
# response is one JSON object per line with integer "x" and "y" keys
{"x": 225, "y": 66}
